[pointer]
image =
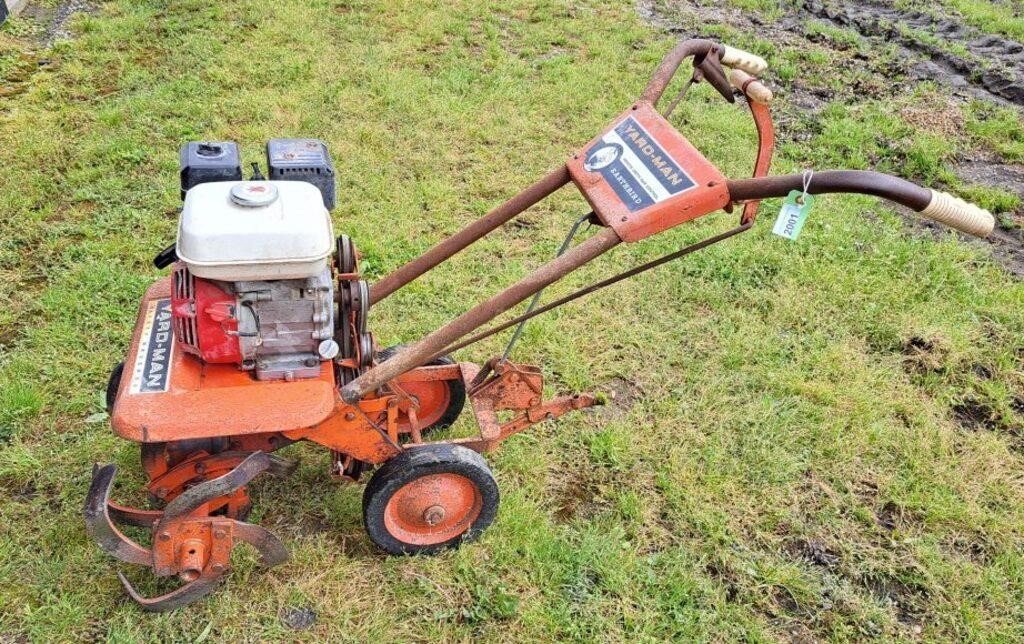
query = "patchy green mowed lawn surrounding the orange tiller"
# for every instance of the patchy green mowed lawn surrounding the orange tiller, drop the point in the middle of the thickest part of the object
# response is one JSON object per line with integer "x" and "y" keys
{"x": 810, "y": 440}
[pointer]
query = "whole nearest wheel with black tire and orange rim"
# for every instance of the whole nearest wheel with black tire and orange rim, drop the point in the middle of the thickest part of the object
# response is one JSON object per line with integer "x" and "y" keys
{"x": 430, "y": 499}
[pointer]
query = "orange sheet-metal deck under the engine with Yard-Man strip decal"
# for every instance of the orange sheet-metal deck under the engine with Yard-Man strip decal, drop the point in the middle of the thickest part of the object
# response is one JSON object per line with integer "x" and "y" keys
{"x": 166, "y": 395}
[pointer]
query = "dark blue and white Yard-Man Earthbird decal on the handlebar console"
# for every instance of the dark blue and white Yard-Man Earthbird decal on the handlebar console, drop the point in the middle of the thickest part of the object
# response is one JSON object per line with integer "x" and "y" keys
{"x": 636, "y": 167}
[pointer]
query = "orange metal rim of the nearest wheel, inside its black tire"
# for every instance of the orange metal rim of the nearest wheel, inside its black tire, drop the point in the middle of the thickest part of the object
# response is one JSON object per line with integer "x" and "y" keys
{"x": 434, "y": 509}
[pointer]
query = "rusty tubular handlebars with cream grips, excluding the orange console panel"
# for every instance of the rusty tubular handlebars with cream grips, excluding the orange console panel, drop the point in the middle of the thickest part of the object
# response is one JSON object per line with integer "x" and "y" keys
{"x": 709, "y": 58}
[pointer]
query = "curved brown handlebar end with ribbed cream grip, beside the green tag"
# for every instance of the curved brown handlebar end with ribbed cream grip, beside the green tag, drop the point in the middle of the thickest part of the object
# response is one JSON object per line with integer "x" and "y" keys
{"x": 942, "y": 207}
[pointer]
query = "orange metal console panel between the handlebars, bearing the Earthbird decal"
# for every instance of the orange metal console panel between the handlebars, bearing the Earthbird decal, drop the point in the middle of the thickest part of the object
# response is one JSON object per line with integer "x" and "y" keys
{"x": 642, "y": 177}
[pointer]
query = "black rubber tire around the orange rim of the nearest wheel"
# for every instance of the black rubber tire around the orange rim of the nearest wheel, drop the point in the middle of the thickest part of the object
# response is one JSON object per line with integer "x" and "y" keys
{"x": 416, "y": 463}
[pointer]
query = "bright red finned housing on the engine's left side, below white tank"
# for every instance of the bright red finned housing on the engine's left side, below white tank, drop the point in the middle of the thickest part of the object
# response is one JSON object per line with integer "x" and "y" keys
{"x": 205, "y": 319}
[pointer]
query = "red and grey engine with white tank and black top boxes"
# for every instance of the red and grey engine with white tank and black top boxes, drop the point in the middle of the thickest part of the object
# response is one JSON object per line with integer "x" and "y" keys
{"x": 253, "y": 284}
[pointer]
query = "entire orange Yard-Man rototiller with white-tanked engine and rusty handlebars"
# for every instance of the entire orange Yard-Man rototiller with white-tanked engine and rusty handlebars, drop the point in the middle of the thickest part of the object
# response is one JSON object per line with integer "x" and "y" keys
{"x": 259, "y": 339}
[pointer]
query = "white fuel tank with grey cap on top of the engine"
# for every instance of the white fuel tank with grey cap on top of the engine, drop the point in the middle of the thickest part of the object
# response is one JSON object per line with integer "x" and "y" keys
{"x": 284, "y": 233}
